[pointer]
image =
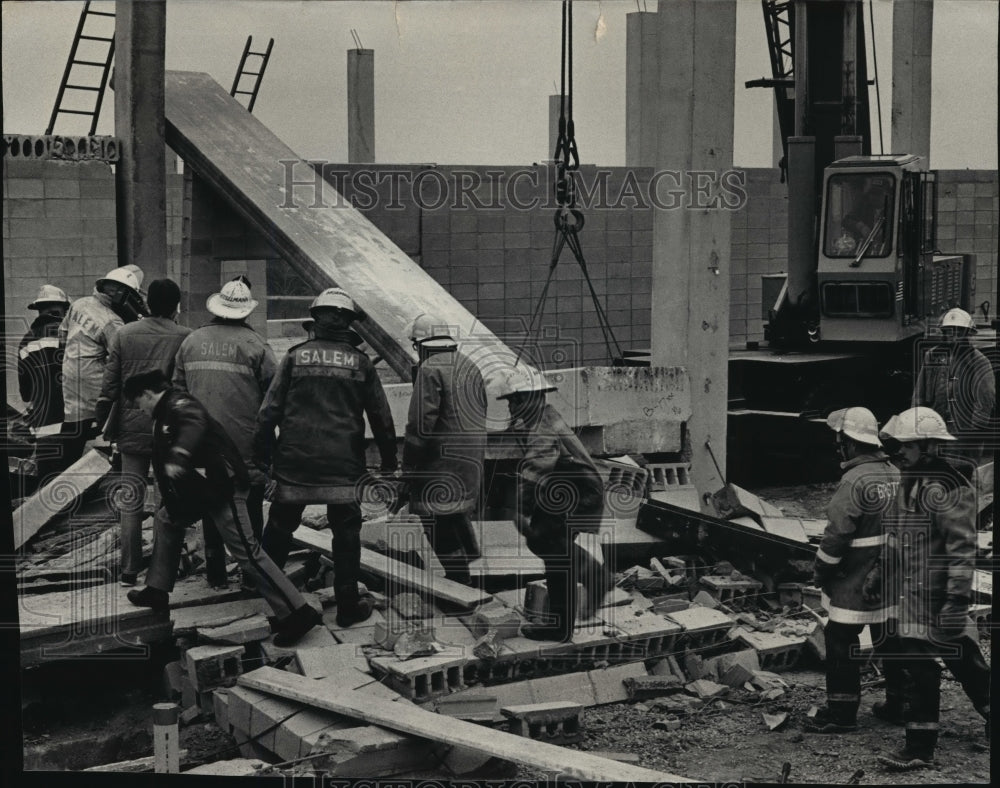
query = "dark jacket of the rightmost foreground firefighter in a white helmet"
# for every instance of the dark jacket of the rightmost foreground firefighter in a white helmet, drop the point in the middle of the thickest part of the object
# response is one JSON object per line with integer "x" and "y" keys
{"x": 931, "y": 549}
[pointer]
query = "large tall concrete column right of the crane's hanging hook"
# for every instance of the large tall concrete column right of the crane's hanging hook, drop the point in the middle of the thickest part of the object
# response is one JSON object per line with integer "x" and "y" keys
{"x": 694, "y": 123}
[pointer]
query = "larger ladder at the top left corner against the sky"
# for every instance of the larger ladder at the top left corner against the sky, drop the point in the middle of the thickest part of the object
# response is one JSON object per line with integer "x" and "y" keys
{"x": 99, "y": 56}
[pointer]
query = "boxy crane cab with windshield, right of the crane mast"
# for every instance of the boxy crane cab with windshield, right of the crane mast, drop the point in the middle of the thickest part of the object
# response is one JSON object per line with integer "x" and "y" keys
{"x": 878, "y": 275}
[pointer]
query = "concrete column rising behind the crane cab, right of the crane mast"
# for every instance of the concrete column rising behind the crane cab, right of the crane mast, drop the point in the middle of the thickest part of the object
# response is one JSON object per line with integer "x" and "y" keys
{"x": 912, "y": 27}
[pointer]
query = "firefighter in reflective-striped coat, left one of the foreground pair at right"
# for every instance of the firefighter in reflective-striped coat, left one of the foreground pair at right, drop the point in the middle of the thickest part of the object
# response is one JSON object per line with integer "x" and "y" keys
{"x": 851, "y": 550}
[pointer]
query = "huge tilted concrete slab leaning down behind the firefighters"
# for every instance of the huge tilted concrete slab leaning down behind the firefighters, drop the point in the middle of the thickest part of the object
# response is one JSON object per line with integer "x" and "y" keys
{"x": 319, "y": 233}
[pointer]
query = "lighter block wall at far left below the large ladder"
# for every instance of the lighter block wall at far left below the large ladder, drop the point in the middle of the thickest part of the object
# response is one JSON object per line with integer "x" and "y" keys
{"x": 59, "y": 227}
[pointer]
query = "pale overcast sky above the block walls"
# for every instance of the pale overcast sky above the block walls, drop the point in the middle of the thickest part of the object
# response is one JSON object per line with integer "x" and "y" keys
{"x": 467, "y": 82}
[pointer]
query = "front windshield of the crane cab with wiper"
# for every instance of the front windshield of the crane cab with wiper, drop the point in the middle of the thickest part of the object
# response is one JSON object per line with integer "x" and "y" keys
{"x": 859, "y": 206}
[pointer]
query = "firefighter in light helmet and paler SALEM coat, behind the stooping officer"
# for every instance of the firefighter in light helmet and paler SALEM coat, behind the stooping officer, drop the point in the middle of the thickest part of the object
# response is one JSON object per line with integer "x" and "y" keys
{"x": 228, "y": 367}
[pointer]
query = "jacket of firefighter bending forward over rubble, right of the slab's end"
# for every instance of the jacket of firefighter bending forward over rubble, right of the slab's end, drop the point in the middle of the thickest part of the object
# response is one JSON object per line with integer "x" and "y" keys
{"x": 556, "y": 477}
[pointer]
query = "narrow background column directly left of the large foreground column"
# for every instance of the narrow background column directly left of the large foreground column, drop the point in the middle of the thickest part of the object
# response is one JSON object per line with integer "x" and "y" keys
{"x": 642, "y": 82}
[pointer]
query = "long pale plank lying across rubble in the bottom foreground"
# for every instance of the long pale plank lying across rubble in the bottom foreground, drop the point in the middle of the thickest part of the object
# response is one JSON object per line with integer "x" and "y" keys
{"x": 436, "y": 727}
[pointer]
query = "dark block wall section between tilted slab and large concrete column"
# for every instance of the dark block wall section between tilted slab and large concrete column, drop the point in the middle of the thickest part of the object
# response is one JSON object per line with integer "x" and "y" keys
{"x": 492, "y": 252}
